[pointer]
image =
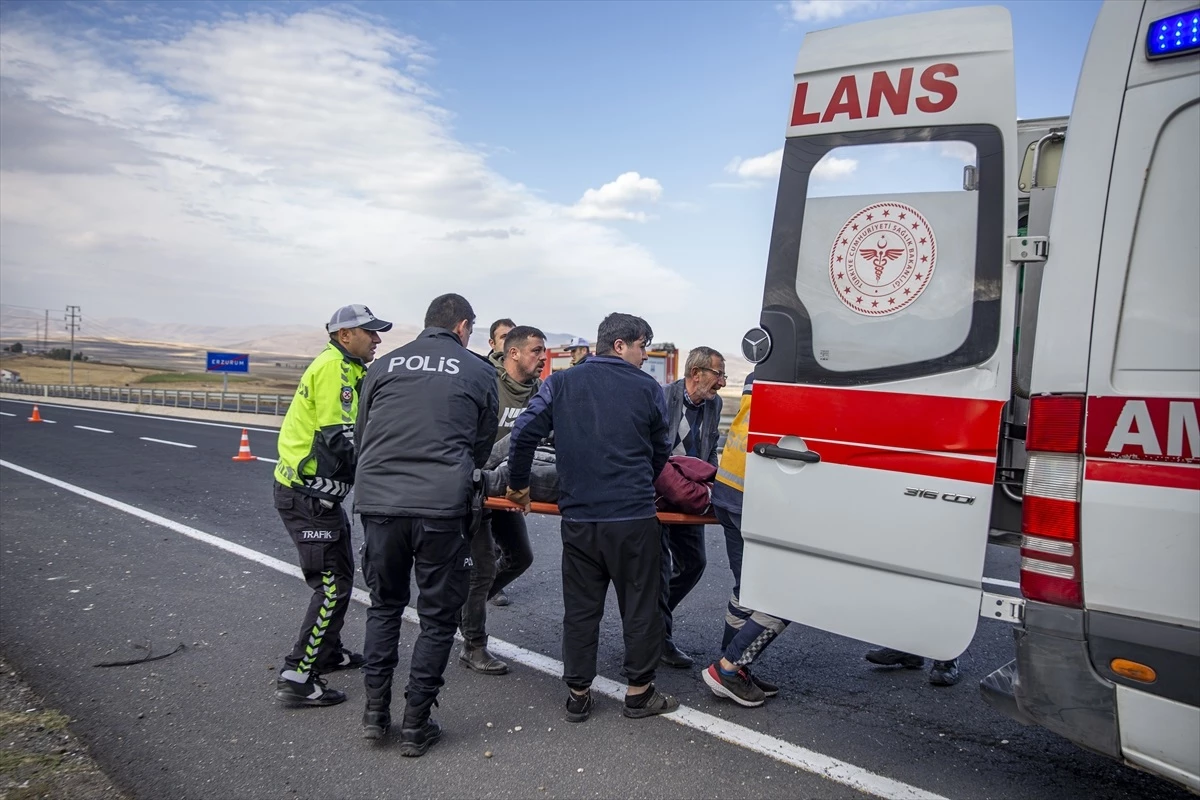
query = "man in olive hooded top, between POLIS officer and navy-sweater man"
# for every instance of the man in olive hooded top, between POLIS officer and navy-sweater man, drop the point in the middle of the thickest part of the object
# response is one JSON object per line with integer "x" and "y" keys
{"x": 525, "y": 356}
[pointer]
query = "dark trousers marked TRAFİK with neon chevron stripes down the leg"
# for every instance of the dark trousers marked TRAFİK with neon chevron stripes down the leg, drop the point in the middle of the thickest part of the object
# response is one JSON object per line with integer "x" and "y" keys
{"x": 327, "y": 560}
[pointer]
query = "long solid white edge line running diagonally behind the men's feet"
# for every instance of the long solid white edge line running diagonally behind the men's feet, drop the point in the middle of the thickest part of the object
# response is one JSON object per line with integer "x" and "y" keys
{"x": 736, "y": 735}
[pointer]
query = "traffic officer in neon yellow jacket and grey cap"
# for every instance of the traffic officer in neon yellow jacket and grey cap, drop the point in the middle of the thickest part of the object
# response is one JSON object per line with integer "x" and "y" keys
{"x": 313, "y": 478}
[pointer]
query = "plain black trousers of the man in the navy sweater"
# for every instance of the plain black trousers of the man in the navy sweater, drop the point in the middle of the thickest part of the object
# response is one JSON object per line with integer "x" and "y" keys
{"x": 627, "y": 555}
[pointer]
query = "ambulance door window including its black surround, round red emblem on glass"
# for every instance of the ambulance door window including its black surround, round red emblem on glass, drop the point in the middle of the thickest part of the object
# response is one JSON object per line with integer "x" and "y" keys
{"x": 886, "y": 257}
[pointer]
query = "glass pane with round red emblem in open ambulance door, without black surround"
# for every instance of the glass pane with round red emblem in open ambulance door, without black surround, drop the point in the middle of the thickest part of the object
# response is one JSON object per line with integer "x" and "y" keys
{"x": 886, "y": 264}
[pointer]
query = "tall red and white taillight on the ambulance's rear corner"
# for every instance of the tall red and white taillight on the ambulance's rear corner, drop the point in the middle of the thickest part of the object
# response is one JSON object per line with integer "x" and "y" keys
{"x": 1051, "y": 563}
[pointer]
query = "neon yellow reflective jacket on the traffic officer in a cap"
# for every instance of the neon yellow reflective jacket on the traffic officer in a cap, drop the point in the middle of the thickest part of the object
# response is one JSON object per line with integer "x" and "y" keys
{"x": 317, "y": 438}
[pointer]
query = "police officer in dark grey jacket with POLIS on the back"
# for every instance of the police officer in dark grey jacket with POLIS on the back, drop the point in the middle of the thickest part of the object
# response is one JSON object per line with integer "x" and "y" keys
{"x": 427, "y": 425}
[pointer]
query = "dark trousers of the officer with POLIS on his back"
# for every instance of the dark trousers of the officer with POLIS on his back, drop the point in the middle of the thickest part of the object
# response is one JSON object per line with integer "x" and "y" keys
{"x": 437, "y": 551}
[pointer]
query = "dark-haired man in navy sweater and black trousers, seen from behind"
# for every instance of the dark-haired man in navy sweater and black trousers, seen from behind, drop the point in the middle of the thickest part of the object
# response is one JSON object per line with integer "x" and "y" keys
{"x": 610, "y": 430}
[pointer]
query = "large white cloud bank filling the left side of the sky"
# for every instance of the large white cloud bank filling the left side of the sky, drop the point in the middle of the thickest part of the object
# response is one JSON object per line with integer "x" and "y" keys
{"x": 268, "y": 166}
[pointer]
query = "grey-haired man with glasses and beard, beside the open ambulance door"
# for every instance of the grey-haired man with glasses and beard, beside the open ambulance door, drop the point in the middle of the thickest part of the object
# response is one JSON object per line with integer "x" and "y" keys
{"x": 694, "y": 414}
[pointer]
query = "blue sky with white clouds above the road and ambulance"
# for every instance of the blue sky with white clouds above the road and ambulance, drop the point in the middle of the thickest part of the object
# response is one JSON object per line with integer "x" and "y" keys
{"x": 230, "y": 164}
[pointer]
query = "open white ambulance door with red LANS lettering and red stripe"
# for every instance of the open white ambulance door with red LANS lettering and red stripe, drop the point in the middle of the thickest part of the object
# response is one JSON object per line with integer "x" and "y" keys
{"x": 884, "y": 359}
